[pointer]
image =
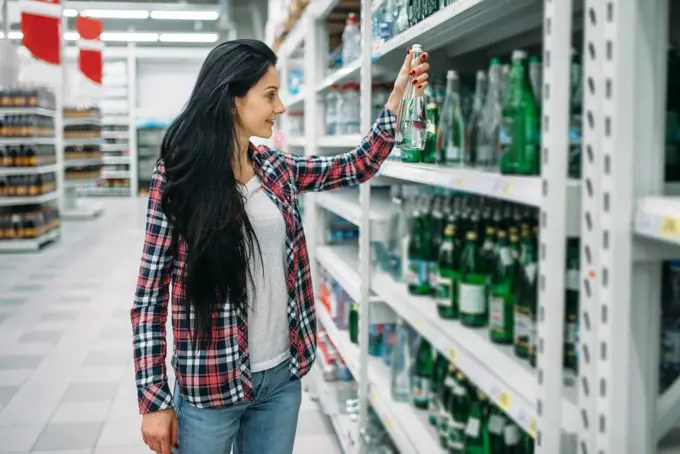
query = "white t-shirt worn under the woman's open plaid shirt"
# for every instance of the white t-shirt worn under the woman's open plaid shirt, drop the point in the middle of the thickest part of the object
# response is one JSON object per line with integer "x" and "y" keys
{"x": 268, "y": 334}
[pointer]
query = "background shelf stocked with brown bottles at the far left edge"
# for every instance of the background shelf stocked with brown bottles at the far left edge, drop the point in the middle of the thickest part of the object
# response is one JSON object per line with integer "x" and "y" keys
{"x": 29, "y": 215}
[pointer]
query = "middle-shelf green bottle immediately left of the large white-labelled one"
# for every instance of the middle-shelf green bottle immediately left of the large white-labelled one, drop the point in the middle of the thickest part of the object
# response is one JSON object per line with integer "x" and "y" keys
{"x": 447, "y": 283}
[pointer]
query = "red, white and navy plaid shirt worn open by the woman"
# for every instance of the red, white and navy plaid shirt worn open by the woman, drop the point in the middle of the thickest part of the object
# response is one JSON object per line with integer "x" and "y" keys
{"x": 221, "y": 376}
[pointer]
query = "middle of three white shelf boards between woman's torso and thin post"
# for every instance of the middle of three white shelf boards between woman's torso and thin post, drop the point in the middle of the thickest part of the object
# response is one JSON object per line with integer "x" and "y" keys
{"x": 342, "y": 263}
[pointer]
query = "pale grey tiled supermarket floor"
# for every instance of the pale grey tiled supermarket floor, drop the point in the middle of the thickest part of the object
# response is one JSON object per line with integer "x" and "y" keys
{"x": 66, "y": 375}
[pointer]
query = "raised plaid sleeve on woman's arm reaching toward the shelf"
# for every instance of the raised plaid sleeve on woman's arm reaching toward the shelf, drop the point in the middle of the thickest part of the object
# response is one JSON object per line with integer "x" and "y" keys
{"x": 322, "y": 173}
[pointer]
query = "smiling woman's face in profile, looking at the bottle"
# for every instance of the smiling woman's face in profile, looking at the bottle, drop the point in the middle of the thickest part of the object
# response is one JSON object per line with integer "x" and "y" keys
{"x": 258, "y": 109}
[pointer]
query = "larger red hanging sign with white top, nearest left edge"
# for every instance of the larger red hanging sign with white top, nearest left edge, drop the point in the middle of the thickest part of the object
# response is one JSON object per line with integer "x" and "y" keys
{"x": 41, "y": 28}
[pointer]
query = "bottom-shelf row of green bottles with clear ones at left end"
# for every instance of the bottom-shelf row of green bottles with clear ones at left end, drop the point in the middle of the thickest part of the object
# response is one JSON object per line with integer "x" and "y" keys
{"x": 467, "y": 421}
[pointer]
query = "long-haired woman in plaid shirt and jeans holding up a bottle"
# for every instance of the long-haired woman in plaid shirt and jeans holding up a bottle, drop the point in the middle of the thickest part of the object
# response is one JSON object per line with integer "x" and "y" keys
{"x": 223, "y": 225}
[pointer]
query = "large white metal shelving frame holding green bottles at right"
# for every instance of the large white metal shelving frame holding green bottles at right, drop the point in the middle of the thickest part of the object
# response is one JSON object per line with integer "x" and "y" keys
{"x": 627, "y": 220}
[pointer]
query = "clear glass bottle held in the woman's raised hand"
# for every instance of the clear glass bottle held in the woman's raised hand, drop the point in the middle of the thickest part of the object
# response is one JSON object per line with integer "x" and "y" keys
{"x": 412, "y": 118}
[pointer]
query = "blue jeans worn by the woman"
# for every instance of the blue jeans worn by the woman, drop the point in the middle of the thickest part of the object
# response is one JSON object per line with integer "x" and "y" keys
{"x": 267, "y": 425}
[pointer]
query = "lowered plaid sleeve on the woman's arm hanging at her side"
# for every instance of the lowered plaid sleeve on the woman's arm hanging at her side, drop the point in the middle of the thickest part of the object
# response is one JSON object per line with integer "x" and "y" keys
{"x": 150, "y": 309}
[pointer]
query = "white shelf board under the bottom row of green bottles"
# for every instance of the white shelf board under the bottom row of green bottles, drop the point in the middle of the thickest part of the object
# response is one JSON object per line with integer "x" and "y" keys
{"x": 407, "y": 425}
